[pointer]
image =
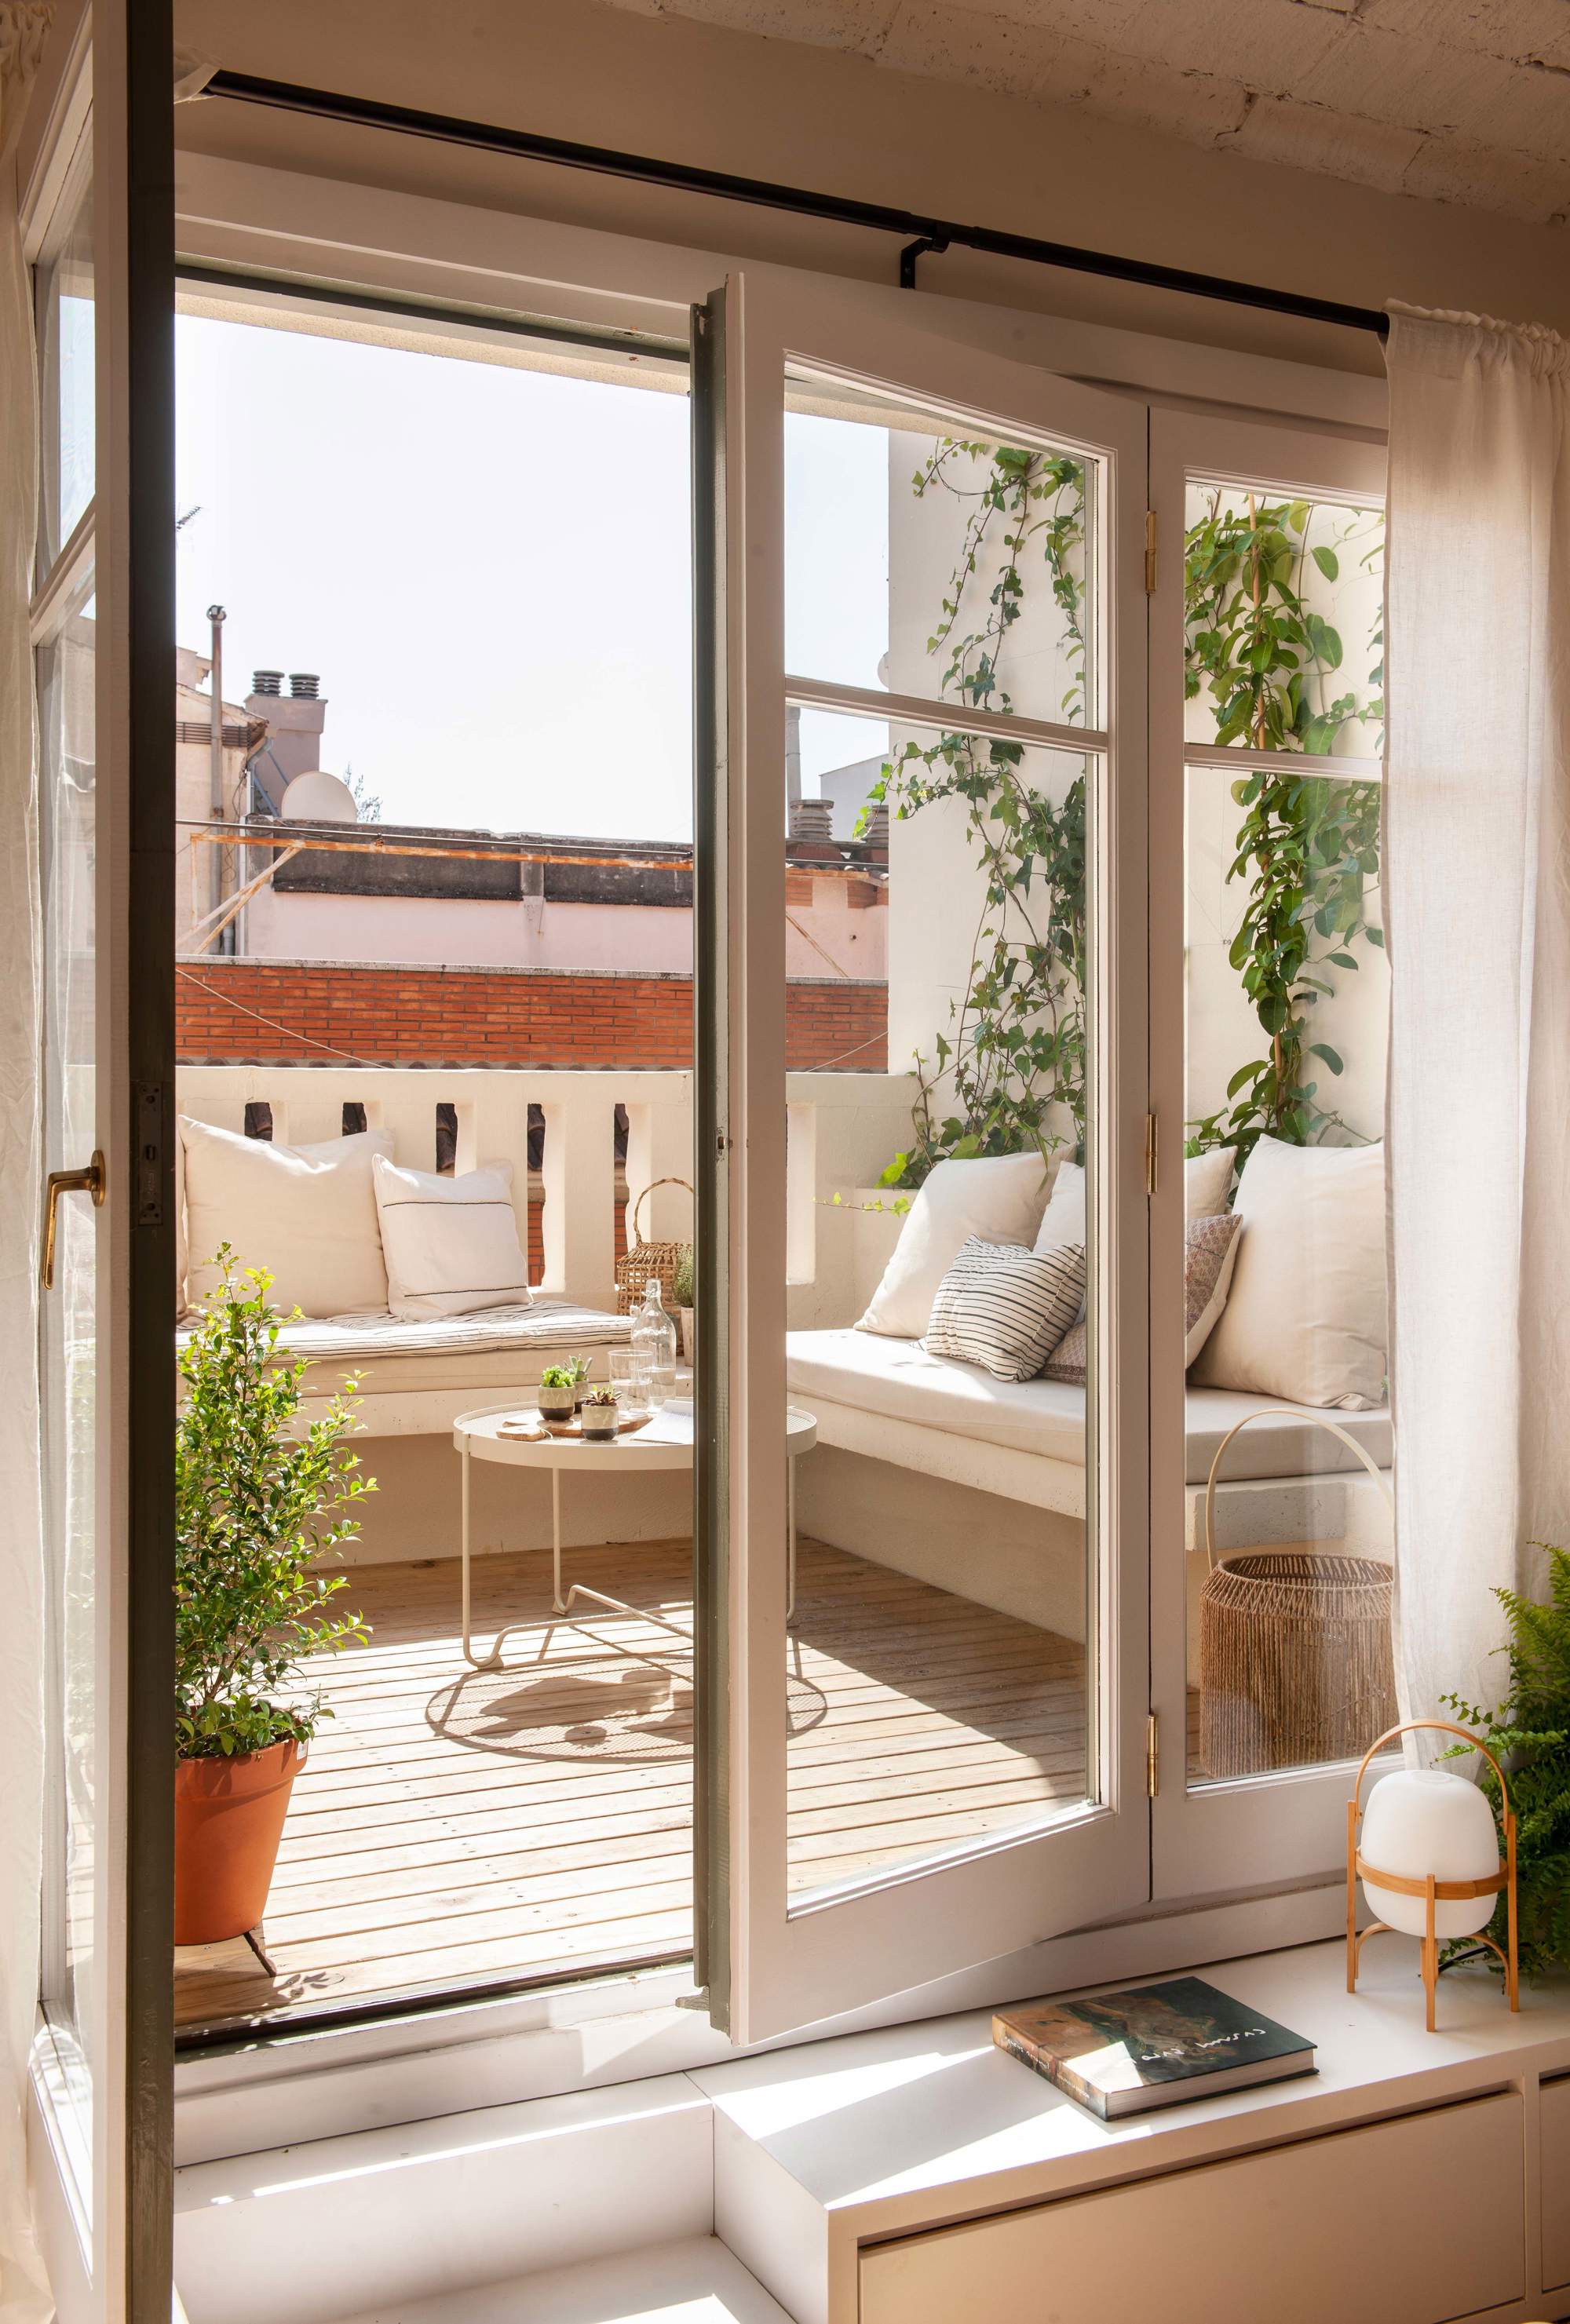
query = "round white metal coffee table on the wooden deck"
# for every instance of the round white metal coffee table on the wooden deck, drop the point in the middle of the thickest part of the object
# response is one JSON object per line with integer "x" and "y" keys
{"x": 664, "y": 1444}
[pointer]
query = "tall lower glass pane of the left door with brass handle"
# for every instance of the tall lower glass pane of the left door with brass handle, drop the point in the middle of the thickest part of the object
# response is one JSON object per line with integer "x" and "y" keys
{"x": 69, "y": 1321}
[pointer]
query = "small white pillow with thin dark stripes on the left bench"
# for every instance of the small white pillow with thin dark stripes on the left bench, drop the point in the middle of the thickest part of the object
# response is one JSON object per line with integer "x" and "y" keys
{"x": 452, "y": 1245}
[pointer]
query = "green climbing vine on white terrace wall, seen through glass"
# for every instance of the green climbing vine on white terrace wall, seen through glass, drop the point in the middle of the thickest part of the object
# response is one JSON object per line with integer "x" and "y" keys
{"x": 1011, "y": 1073}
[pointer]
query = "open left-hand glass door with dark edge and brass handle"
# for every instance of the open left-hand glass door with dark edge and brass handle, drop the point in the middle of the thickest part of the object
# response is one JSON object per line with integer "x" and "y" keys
{"x": 99, "y": 234}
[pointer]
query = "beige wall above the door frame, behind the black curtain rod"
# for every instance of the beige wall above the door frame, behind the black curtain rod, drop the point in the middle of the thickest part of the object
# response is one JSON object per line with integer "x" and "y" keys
{"x": 815, "y": 117}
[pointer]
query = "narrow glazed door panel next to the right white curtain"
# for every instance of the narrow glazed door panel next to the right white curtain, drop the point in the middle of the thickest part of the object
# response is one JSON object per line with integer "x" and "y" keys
{"x": 1269, "y": 1024}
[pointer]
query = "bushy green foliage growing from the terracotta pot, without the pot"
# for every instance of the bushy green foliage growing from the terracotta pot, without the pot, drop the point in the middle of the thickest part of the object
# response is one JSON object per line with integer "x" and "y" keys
{"x": 257, "y": 1509}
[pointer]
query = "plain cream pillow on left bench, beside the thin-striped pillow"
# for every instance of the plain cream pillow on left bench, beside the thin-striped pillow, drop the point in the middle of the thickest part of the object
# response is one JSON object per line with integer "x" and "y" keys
{"x": 308, "y": 1214}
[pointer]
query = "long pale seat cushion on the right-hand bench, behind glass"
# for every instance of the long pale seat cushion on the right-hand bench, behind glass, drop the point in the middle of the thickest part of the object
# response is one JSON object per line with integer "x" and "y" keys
{"x": 901, "y": 1382}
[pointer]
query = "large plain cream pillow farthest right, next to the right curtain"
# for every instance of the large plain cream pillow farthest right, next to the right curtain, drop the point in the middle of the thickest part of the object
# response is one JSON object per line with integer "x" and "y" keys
{"x": 1306, "y": 1310}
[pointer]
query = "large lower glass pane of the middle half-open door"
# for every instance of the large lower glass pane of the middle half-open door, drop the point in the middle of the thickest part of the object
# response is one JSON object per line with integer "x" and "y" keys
{"x": 941, "y": 1649}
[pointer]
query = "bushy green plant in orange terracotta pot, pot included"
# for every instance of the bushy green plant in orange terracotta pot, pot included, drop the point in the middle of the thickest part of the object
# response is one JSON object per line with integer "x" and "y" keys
{"x": 257, "y": 1509}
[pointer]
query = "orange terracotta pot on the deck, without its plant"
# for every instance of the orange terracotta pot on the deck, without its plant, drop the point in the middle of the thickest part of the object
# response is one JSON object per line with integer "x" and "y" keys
{"x": 229, "y": 1821}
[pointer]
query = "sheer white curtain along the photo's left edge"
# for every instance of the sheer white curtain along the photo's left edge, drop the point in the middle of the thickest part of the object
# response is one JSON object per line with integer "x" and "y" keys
{"x": 22, "y": 1612}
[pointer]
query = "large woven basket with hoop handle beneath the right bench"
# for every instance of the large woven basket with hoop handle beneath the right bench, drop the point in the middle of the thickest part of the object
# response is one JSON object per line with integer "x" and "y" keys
{"x": 1294, "y": 1647}
